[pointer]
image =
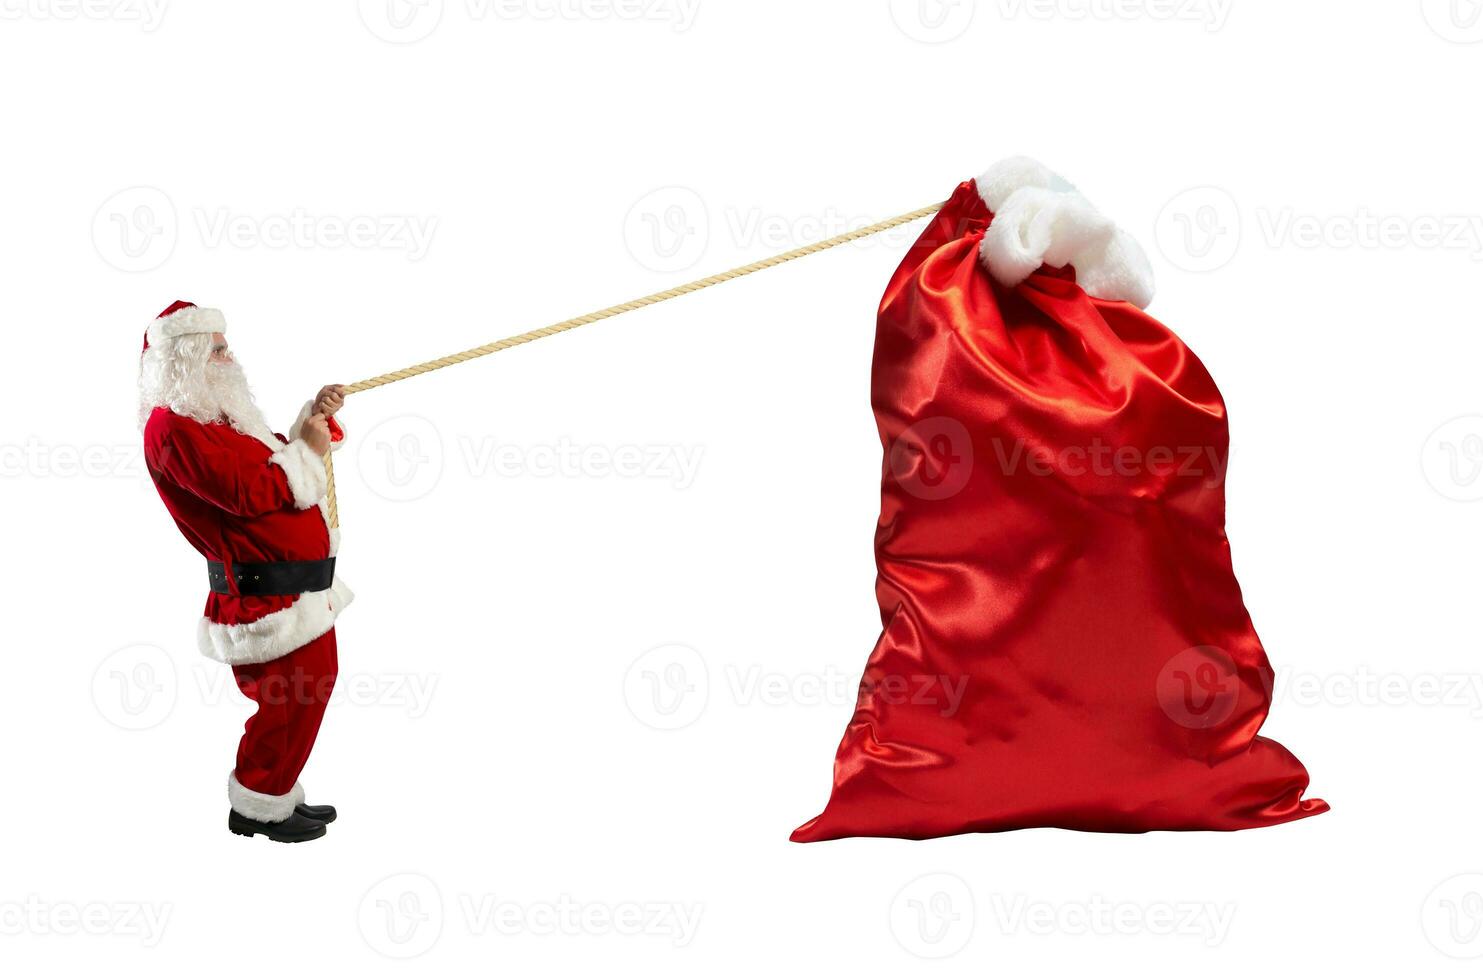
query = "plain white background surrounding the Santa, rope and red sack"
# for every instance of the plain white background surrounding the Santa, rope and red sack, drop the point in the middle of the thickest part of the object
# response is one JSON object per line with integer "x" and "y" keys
{"x": 1303, "y": 176}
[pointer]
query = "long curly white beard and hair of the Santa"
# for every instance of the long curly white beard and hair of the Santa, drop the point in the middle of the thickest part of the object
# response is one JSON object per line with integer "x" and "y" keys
{"x": 180, "y": 376}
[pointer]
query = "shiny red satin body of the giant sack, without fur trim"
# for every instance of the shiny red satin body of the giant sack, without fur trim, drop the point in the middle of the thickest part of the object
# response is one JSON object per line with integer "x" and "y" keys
{"x": 1064, "y": 643}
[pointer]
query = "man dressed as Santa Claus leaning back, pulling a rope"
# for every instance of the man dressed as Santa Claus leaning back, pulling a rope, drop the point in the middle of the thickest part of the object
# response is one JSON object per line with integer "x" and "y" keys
{"x": 253, "y": 503}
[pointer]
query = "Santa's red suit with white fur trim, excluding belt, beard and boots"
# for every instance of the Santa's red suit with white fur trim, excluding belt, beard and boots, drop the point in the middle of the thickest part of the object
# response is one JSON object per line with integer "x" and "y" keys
{"x": 253, "y": 497}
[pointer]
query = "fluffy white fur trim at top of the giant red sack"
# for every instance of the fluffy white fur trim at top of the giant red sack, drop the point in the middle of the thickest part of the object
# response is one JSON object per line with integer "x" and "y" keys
{"x": 1042, "y": 220}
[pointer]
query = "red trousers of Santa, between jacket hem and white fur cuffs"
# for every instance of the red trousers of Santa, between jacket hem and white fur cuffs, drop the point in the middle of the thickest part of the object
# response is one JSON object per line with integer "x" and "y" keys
{"x": 291, "y": 695}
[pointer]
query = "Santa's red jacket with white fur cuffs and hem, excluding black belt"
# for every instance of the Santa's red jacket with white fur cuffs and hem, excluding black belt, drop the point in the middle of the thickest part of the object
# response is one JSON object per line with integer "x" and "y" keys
{"x": 247, "y": 499}
